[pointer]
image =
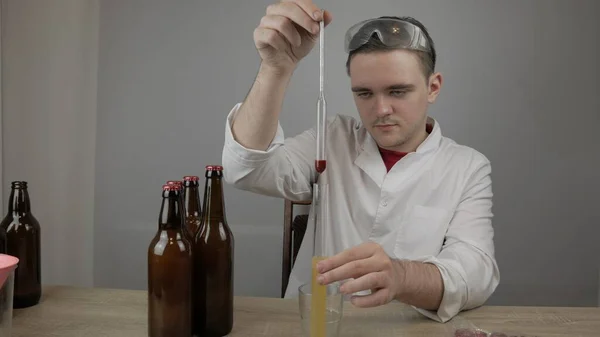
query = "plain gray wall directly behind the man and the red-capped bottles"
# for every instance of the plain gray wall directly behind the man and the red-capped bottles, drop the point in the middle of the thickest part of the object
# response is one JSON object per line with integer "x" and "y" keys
{"x": 520, "y": 86}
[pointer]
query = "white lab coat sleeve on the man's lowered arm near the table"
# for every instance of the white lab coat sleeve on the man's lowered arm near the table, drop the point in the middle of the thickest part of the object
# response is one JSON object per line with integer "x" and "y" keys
{"x": 466, "y": 262}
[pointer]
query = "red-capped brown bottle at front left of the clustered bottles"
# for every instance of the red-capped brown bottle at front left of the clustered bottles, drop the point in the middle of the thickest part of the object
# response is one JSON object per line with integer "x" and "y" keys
{"x": 170, "y": 266}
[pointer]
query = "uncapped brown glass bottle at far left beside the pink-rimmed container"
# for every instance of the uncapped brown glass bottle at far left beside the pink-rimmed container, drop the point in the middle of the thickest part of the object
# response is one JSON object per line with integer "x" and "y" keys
{"x": 23, "y": 241}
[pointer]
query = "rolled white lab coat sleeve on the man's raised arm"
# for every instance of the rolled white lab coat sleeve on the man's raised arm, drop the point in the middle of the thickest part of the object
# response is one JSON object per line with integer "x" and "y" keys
{"x": 284, "y": 170}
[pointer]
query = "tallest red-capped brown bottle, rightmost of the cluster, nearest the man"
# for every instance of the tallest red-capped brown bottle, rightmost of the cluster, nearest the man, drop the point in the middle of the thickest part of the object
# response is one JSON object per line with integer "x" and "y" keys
{"x": 214, "y": 249}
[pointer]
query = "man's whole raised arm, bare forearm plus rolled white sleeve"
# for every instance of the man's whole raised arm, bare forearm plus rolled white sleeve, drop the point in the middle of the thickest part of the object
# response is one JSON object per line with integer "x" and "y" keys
{"x": 256, "y": 154}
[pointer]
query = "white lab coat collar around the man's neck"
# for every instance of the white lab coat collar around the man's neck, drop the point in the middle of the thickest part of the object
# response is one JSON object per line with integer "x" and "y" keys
{"x": 369, "y": 158}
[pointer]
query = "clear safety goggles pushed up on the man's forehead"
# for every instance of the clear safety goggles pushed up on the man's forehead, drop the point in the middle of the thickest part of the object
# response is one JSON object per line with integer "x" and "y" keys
{"x": 391, "y": 32}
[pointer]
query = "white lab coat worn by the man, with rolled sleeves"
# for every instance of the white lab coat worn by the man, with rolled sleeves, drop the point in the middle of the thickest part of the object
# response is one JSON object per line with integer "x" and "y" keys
{"x": 435, "y": 204}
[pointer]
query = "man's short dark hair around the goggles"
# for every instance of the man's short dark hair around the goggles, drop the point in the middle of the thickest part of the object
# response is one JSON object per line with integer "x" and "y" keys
{"x": 374, "y": 45}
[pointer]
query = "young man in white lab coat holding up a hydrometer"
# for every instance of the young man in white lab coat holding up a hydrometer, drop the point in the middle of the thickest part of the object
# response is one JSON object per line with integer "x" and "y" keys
{"x": 410, "y": 210}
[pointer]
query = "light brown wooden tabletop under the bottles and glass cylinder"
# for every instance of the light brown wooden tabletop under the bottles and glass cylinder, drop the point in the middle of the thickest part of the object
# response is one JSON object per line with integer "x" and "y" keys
{"x": 93, "y": 312}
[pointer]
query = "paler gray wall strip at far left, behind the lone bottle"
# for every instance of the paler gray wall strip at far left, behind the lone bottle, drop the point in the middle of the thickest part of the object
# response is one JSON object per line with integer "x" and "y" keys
{"x": 49, "y": 59}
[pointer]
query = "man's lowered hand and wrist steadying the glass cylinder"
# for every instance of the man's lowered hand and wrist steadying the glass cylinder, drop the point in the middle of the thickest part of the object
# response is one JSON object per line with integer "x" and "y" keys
{"x": 414, "y": 283}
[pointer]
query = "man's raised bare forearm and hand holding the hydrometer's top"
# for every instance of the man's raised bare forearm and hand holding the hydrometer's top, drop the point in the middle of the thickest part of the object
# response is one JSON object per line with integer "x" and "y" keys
{"x": 285, "y": 35}
